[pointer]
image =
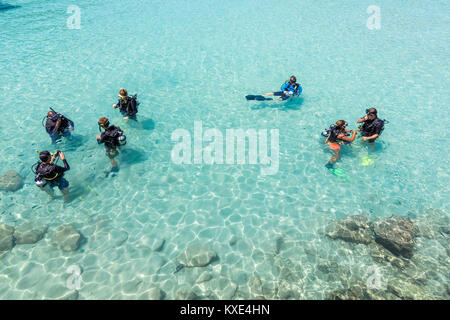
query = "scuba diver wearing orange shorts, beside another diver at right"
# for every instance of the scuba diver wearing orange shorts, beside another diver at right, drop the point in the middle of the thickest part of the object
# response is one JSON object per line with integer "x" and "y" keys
{"x": 337, "y": 135}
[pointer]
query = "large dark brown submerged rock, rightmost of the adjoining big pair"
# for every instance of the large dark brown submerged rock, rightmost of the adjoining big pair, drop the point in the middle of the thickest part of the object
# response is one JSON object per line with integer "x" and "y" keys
{"x": 396, "y": 234}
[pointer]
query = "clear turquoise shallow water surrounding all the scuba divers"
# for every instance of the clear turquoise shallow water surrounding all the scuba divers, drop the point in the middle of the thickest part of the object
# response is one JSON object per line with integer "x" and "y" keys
{"x": 195, "y": 61}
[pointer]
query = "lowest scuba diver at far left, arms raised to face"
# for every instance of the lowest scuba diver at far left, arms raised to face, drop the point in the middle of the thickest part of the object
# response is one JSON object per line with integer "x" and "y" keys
{"x": 50, "y": 175}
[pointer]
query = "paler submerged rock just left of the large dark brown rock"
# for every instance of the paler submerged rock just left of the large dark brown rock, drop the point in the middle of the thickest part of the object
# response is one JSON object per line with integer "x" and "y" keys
{"x": 353, "y": 228}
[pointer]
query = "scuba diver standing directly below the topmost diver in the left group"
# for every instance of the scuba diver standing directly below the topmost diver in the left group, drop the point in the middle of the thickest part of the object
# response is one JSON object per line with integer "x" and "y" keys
{"x": 113, "y": 138}
